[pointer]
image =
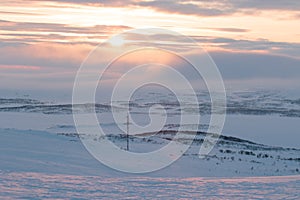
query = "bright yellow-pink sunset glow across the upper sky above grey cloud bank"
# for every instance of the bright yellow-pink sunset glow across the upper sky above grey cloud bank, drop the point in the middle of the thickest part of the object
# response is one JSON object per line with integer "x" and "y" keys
{"x": 59, "y": 35}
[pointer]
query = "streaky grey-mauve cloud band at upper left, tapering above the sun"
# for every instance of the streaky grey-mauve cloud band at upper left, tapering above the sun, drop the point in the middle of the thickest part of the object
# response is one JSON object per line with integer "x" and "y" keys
{"x": 55, "y": 32}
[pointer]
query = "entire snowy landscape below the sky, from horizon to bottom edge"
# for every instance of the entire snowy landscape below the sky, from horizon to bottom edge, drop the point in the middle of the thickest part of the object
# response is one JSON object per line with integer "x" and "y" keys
{"x": 257, "y": 157}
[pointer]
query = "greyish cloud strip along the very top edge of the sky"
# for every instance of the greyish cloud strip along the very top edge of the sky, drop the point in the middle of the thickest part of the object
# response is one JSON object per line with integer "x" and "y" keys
{"x": 200, "y": 7}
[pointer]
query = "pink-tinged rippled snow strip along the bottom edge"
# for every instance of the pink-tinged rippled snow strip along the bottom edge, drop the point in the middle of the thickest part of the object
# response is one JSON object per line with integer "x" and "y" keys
{"x": 42, "y": 186}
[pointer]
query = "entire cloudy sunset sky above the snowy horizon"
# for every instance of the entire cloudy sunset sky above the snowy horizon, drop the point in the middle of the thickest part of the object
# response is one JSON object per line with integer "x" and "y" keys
{"x": 254, "y": 43}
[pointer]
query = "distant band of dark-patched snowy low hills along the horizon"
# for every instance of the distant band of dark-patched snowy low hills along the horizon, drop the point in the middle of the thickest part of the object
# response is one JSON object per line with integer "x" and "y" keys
{"x": 238, "y": 103}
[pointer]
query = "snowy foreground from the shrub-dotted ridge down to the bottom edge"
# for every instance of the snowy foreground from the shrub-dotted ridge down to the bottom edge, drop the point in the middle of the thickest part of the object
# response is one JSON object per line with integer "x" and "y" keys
{"x": 38, "y": 165}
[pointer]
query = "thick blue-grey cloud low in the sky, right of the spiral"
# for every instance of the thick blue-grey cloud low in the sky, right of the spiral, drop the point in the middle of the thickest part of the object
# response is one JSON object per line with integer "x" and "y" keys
{"x": 251, "y": 65}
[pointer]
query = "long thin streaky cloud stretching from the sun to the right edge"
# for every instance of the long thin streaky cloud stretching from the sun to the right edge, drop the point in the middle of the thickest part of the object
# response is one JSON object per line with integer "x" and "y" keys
{"x": 181, "y": 44}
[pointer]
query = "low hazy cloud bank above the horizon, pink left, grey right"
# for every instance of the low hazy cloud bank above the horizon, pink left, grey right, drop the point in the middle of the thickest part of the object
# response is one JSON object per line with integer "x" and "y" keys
{"x": 58, "y": 64}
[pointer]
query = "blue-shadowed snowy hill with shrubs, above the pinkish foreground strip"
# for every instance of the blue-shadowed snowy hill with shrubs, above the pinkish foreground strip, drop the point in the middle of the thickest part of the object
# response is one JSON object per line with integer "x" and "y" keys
{"x": 37, "y": 151}
